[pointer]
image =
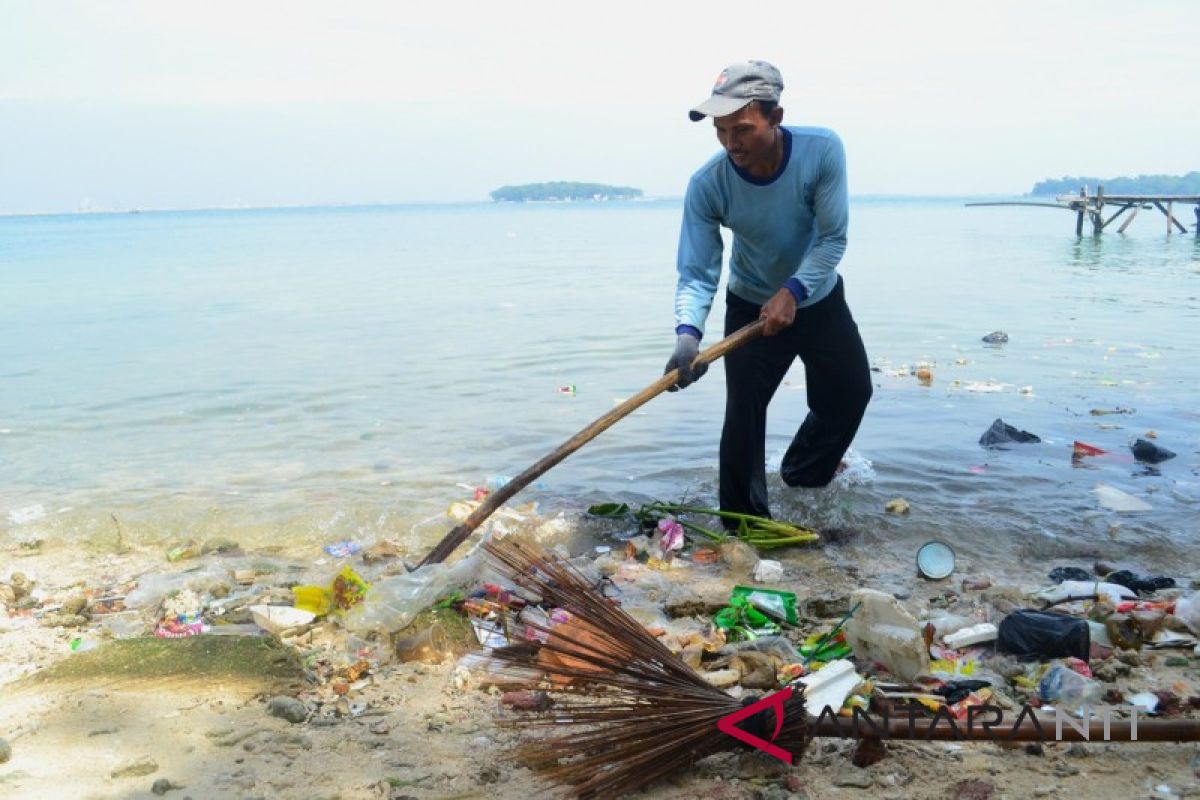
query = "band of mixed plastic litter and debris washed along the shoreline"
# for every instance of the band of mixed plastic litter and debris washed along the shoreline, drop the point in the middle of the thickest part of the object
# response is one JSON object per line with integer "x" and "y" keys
{"x": 748, "y": 625}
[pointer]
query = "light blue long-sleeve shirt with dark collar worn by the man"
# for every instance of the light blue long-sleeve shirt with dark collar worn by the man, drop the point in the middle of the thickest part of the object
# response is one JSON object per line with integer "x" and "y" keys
{"x": 789, "y": 231}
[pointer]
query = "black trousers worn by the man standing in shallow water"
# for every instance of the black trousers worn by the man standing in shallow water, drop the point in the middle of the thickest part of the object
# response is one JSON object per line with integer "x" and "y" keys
{"x": 826, "y": 339}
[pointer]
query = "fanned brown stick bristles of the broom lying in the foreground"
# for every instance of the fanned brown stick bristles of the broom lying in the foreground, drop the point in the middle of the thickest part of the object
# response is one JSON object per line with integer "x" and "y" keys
{"x": 634, "y": 713}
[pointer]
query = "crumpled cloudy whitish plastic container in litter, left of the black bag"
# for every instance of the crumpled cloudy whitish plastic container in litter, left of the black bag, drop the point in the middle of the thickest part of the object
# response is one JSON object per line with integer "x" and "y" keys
{"x": 881, "y": 630}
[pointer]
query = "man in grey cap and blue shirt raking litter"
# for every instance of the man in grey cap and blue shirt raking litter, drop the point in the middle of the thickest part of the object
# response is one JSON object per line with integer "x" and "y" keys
{"x": 782, "y": 191}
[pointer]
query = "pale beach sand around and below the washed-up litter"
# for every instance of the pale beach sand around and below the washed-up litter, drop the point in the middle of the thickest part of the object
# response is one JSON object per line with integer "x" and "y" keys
{"x": 248, "y": 717}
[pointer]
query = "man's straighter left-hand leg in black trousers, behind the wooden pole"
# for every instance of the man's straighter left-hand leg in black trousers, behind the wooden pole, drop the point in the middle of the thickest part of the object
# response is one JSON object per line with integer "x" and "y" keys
{"x": 753, "y": 374}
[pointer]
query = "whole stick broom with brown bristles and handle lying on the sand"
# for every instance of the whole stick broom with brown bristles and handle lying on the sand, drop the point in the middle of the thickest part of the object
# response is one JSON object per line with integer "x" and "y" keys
{"x": 634, "y": 713}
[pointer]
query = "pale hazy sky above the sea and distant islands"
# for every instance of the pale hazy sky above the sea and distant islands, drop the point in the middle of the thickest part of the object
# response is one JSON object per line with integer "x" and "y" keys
{"x": 123, "y": 105}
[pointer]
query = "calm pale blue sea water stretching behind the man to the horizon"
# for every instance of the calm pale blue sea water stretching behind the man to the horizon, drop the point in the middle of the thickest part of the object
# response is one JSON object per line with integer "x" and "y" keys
{"x": 307, "y": 376}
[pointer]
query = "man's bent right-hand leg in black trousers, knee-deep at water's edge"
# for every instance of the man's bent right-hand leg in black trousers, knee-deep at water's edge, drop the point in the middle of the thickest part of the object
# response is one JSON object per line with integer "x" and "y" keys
{"x": 839, "y": 388}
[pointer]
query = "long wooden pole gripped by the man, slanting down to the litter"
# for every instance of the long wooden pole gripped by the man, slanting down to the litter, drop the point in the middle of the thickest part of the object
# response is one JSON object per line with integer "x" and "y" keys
{"x": 500, "y": 497}
